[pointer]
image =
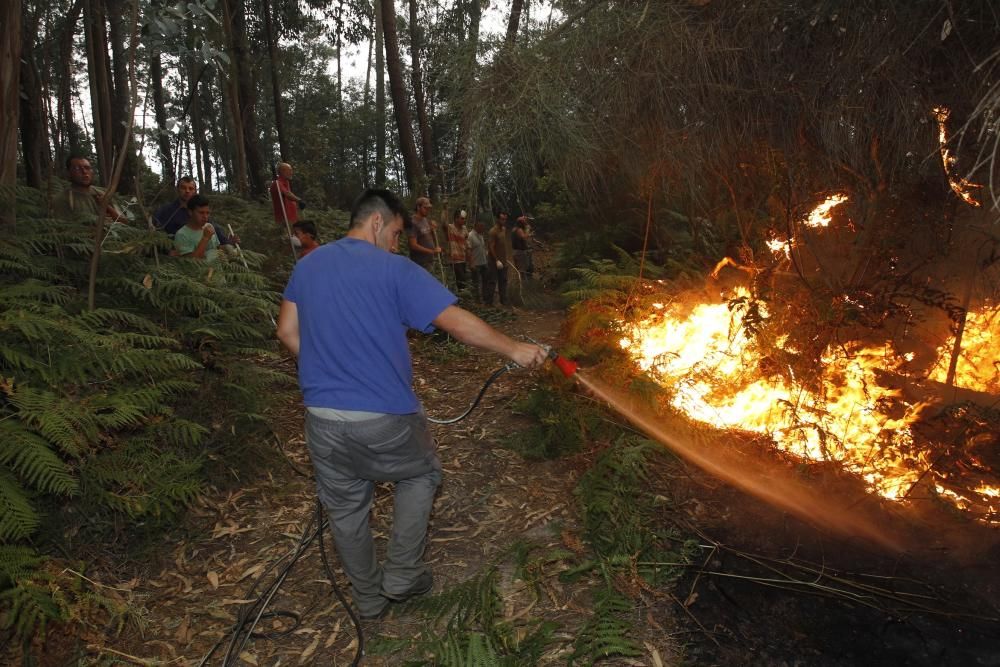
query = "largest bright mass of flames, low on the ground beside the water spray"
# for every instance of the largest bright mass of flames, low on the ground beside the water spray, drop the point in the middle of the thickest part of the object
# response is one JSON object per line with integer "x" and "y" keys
{"x": 718, "y": 378}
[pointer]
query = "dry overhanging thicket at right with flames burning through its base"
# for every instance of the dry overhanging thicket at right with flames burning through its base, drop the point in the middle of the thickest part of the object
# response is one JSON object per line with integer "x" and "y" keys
{"x": 812, "y": 147}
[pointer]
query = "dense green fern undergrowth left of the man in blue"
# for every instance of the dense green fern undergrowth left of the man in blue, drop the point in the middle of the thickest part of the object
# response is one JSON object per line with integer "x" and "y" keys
{"x": 113, "y": 419}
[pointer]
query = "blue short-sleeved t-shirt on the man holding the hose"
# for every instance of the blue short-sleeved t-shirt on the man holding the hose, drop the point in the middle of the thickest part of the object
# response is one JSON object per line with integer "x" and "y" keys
{"x": 355, "y": 303}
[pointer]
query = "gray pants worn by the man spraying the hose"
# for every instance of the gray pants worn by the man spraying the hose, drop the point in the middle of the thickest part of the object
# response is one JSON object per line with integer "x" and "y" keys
{"x": 349, "y": 457}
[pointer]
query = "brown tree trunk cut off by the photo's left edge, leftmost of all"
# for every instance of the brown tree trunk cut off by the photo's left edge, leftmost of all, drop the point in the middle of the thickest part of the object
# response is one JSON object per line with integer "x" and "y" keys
{"x": 10, "y": 59}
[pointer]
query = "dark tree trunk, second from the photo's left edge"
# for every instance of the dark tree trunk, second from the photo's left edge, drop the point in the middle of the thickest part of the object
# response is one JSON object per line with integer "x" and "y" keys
{"x": 34, "y": 131}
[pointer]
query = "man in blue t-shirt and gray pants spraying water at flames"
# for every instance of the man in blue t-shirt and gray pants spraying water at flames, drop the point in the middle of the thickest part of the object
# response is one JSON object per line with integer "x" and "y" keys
{"x": 345, "y": 315}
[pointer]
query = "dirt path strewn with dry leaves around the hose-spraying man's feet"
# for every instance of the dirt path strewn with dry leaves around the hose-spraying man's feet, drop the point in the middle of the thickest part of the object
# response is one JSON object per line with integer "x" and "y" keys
{"x": 490, "y": 498}
